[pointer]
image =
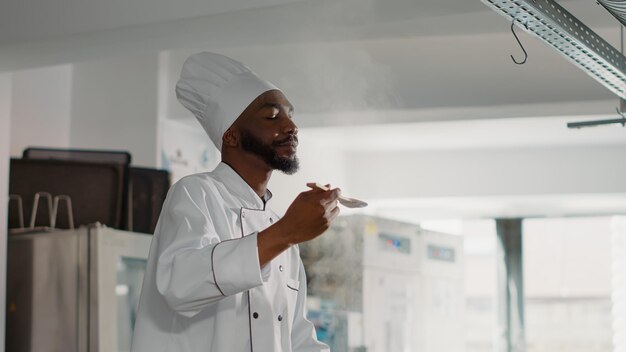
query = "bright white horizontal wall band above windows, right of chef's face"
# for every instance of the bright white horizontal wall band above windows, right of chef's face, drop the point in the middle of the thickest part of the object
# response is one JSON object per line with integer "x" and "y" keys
{"x": 489, "y": 172}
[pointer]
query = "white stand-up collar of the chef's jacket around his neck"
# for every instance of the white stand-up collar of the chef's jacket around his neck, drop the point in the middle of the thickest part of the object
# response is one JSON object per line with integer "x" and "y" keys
{"x": 238, "y": 186}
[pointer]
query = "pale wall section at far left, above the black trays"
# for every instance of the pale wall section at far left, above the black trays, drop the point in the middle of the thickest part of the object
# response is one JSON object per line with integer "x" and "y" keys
{"x": 41, "y": 108}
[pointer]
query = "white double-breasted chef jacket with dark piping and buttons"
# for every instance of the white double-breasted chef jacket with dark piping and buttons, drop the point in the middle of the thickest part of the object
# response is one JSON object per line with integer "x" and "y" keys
{"x": 204, "y": 290}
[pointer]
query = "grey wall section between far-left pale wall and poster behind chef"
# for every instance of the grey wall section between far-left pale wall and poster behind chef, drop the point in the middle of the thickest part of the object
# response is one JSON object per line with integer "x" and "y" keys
{"x": 114, "y": 106}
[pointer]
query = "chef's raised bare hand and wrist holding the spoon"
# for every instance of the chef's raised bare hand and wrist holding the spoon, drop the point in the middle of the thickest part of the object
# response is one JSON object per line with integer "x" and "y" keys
{"x": 308, "y": 216}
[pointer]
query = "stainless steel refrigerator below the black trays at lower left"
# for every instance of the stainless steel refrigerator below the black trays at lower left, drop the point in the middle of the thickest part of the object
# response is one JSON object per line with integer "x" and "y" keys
{"x": 73, "y": 290}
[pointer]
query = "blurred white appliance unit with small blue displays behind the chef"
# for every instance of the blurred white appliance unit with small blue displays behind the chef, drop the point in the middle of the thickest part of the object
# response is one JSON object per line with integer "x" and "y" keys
{"x": 380, "y": 285}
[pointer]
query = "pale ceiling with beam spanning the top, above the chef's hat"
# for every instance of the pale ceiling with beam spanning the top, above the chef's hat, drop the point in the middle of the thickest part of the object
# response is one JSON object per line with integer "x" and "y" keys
{"x": 426, "y": 54}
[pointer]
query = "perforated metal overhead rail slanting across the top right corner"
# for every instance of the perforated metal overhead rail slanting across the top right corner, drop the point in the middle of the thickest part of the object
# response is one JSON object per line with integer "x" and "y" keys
{"x": 554, "y": 25}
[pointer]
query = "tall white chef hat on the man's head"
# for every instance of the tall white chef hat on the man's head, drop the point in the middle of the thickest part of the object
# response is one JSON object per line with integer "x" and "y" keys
{"x": 217, "y": 89}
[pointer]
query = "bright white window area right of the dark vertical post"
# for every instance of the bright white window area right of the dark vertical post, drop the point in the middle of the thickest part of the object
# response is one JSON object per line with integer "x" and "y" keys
{"x": 567, "y": 257}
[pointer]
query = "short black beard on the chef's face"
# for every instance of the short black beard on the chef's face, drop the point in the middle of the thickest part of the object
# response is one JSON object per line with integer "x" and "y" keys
{"x": 288, "y": 165}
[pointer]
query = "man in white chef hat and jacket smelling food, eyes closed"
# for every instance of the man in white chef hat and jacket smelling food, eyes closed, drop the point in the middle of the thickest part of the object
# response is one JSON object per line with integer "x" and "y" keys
{"x": 224, "y": 272}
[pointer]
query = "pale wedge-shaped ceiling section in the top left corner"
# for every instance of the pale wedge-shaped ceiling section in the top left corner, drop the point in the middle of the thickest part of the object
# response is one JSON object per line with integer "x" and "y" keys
{"x": 36, "y": 20}
